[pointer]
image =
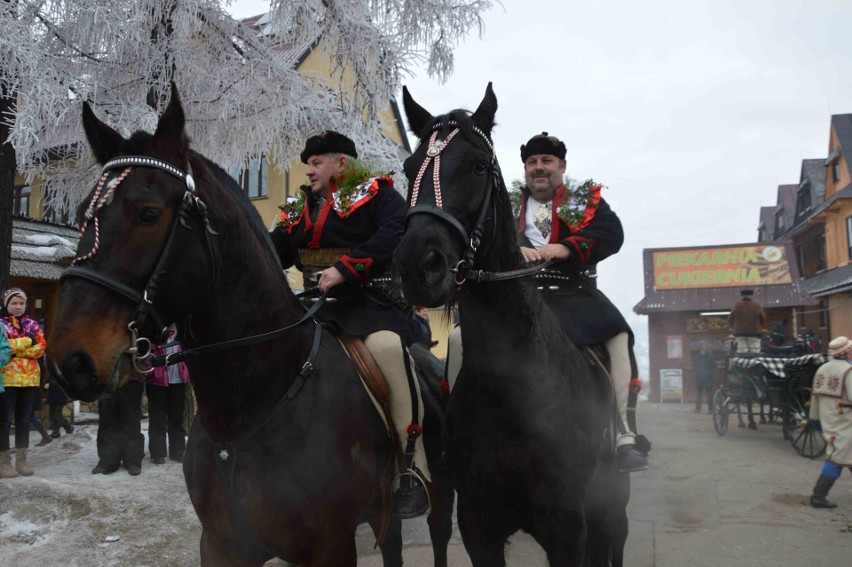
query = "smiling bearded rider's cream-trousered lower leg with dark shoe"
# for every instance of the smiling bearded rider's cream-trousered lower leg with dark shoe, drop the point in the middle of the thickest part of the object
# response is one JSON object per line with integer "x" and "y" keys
{"x": 627, "y": 457}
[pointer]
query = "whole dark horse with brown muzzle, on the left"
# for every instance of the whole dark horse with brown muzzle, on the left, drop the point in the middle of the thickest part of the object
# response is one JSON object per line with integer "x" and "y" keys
{"x": 287, "y": 454}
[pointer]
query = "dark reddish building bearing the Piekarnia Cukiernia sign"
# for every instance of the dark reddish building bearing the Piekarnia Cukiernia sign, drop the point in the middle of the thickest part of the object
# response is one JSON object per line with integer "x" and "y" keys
{"x": 689, "y": 293}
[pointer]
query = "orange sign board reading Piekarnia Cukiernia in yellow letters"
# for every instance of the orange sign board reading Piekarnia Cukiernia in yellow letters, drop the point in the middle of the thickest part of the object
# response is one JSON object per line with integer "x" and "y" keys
{"x": 735, "y": 266}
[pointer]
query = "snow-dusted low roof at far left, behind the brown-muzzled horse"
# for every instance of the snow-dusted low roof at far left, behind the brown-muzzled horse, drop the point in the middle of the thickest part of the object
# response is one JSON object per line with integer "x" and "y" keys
{"x": 40, "y": 249}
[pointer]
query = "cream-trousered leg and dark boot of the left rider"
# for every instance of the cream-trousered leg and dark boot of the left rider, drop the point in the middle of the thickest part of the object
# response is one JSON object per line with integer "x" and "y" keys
{"x": 410, "y": 498}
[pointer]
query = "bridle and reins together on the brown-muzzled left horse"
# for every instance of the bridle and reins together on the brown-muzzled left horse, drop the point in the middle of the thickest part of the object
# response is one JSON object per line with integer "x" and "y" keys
{"x": 140, "y": 346}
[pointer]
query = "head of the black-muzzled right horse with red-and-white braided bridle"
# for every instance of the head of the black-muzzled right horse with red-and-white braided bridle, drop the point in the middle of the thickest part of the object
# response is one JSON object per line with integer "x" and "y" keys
{"x": 459, "y": 214}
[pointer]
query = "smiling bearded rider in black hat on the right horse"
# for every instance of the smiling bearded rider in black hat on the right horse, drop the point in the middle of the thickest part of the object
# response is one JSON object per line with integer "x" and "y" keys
{"x": 575, "y": 229}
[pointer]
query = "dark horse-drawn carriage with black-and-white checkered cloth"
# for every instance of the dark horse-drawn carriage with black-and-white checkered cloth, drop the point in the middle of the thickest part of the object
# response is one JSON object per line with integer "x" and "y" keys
{"x": 781, "y": 385}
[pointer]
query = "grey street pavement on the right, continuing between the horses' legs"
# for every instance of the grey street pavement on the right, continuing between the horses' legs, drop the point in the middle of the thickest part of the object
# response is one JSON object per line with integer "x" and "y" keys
{"x": 737, "y": 500}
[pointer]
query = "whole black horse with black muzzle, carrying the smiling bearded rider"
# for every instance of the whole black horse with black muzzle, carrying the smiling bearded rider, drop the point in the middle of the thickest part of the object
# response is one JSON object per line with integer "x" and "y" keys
{"x": 527, "y": 419}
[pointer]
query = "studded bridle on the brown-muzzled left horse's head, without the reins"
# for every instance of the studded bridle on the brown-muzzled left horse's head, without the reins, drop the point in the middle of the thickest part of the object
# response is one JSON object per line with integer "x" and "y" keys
{"x": 140, "y": 347}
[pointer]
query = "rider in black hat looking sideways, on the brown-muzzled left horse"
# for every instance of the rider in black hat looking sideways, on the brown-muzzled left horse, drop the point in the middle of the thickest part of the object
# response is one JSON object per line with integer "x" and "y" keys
{"x": 342, "y": 233}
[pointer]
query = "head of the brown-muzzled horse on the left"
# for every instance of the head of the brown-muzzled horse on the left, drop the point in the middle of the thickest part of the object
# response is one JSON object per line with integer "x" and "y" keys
{"x": 133, "y": 273}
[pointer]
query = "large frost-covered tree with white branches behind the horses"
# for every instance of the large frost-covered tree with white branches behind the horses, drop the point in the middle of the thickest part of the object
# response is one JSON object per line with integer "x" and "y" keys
{"x": 242, "y": 92}
